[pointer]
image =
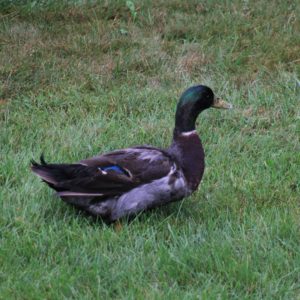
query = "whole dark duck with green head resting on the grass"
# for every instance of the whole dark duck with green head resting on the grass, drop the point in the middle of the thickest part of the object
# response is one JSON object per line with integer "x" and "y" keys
{"x": 126, "y": 182}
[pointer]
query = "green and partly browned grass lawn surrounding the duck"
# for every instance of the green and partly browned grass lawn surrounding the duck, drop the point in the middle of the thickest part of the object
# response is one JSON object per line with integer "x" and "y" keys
{"x": 82, "y": 77}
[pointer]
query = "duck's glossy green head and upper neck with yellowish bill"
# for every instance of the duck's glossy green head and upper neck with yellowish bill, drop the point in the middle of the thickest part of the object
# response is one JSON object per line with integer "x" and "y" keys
{"x": 192, "y": 102}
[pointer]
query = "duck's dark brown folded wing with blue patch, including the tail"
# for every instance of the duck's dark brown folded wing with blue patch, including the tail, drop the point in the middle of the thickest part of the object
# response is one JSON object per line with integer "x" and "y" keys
{"x": 106, "y": 175}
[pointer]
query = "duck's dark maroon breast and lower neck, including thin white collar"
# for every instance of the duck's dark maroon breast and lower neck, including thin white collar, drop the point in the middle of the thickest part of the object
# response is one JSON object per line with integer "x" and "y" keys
{"x": 188, "y": 150}
